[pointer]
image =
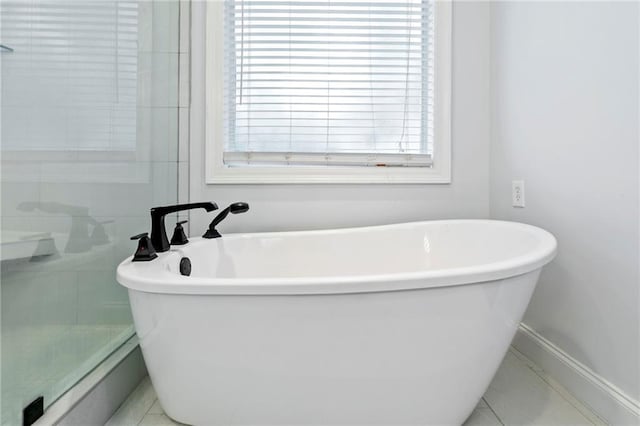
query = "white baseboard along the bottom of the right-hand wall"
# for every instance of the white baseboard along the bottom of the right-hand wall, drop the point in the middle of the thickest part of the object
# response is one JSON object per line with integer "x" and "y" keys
{"x": 593, "y": 390}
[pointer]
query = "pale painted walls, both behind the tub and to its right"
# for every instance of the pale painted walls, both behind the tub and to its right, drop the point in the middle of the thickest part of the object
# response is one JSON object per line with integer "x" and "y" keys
{"x": 557, "y": 85}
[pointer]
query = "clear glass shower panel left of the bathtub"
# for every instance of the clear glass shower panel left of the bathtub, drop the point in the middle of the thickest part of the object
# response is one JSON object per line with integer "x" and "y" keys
{"x": 89, "y": 142}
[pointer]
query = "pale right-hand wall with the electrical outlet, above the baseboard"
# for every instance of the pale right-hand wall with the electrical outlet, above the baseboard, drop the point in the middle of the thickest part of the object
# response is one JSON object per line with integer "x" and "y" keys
{"x": 565, "y": 119}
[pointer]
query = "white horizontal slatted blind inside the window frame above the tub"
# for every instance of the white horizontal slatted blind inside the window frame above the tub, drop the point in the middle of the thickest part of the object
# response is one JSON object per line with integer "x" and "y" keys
{"x": 328, "y": 82}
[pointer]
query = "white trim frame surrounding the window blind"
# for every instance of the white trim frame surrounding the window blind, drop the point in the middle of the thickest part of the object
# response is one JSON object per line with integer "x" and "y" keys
{"x": 216, "y": 172}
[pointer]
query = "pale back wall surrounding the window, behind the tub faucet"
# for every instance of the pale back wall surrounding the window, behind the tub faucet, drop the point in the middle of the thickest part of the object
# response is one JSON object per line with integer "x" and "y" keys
{"x": 275, "y": 207}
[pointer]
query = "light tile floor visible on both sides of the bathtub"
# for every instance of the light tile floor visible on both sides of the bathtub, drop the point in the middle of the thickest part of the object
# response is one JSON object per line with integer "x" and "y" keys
{"x": 520, "y": 394}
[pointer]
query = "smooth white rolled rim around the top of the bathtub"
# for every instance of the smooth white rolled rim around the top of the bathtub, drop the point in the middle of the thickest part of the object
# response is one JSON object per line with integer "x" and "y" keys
{"x": 155, "y": 277}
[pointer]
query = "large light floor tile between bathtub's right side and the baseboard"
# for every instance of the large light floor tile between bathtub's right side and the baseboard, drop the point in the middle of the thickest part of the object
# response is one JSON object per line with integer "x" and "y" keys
{"x": 520, "y": 397}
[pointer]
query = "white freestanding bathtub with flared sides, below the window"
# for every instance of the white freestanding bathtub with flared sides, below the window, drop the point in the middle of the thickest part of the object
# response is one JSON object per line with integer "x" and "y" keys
{"x": 389, "y": 325}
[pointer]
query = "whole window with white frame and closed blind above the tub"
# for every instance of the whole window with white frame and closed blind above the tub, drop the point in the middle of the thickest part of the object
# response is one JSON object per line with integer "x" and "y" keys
{"x": 328, "y": 91}
